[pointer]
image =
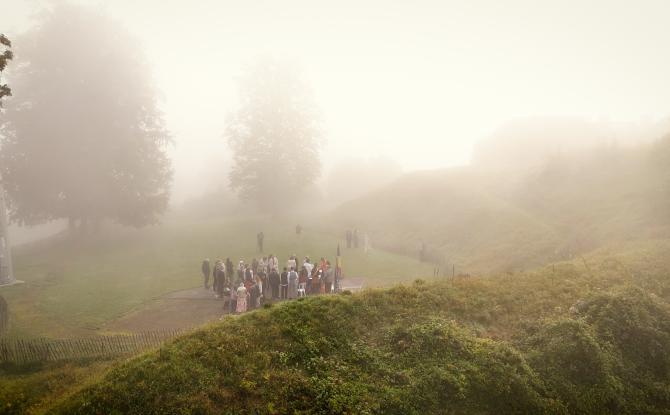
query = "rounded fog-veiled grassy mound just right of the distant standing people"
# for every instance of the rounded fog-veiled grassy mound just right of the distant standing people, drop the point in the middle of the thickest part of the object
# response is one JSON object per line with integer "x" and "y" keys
{"x": 456, "y": 217}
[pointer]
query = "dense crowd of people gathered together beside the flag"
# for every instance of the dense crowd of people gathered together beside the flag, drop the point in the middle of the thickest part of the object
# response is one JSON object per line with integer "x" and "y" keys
{"x": 247, "y": 286}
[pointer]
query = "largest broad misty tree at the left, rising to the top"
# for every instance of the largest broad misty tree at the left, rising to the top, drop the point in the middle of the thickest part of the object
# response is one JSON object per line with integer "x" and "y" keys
{"x": 83, "y": 138}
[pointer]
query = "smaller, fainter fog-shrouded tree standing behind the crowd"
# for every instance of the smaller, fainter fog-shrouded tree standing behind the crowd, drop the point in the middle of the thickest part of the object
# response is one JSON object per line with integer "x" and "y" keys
{"x": 274, "y": 136}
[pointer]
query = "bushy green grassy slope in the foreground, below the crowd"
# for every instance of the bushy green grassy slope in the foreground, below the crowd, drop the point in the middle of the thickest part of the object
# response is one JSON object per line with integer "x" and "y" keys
{"x": 587, "y": 336}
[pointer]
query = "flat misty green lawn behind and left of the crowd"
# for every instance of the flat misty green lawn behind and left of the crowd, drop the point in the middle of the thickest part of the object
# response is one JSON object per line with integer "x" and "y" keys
{"x": 73, "y": 287}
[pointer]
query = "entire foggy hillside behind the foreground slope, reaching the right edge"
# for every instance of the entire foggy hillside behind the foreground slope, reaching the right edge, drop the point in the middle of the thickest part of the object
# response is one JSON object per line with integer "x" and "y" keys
{"x": 495, "y": 218}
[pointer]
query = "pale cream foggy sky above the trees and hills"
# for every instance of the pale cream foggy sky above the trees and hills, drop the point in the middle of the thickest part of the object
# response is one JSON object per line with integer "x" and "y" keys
{"x": 416, "y": 81}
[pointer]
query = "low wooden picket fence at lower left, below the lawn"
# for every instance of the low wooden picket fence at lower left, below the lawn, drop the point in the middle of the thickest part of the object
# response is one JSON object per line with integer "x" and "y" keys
{"x": 43, "y": 350}
